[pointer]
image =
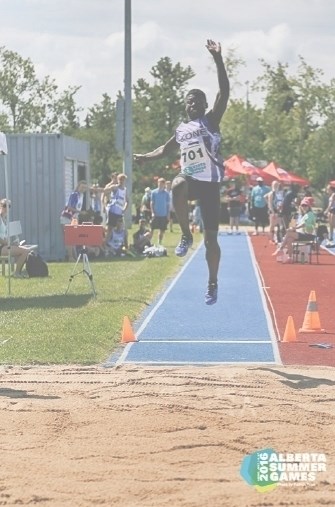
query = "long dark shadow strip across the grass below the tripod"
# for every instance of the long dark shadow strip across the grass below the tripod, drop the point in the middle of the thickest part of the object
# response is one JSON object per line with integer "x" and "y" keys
{"x": 54, "y": 301}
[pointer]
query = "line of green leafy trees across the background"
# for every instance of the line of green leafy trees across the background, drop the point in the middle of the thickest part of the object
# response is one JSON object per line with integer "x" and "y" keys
{"x": 294, "y": 125}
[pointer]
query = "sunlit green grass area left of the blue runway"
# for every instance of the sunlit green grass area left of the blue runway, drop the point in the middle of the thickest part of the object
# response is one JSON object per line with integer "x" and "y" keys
{"x": 40, "y": 324}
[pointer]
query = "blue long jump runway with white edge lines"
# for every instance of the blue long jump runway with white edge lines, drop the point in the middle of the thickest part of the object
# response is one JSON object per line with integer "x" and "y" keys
{"x": 181, "y": 329}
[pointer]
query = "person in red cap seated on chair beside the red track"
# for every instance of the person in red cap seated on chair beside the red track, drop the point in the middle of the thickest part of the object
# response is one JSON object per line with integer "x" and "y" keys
{"x": 304, "y": 229}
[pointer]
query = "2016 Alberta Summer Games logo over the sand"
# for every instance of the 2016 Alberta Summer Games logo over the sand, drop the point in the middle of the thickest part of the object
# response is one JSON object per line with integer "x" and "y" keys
{"x": 266, "y": 469}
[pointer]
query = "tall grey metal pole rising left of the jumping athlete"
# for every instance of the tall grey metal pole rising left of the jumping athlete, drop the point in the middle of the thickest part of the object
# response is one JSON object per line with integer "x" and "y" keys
{"x": 128, "y": 152}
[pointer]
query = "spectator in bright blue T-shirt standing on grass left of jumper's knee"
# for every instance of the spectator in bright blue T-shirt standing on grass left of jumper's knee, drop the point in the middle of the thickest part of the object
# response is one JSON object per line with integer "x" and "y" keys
{"x": 160, "y": 209}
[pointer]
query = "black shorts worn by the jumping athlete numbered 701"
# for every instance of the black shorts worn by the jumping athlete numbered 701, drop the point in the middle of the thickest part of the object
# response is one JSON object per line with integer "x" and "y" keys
{"x": 208, "y": 195}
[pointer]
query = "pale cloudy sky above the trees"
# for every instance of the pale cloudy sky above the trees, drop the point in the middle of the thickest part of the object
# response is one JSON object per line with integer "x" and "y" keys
{"x": 81, "y": 42}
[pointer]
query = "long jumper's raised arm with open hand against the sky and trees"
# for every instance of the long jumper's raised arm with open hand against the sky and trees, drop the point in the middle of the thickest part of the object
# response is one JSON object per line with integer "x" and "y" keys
{"x": 222, "y": 96}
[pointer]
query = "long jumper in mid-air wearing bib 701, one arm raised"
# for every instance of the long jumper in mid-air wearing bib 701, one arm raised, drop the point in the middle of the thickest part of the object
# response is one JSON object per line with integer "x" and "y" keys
{"x": 201, "y": 168}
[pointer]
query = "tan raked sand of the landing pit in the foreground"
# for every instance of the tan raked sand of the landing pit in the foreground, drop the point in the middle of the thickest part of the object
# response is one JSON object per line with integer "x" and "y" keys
{"x": 154, "y": 436}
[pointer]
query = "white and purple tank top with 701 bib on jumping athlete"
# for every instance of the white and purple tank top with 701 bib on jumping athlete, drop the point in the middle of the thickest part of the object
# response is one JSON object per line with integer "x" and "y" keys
{"x": 199, "y": 149}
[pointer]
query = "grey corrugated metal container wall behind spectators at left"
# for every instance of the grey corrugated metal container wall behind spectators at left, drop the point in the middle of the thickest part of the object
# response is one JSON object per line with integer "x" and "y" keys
{"x": 38, "y": 166}
